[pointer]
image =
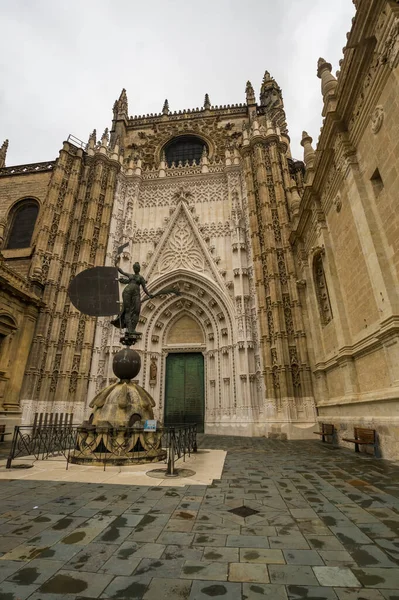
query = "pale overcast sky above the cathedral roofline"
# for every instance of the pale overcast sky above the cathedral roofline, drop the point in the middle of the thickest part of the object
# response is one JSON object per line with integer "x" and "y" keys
{"x": 62, "y": 65}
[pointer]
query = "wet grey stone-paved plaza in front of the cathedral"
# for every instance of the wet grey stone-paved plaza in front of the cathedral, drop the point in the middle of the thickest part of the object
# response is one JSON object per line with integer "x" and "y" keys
{"x": 287, "y": 519}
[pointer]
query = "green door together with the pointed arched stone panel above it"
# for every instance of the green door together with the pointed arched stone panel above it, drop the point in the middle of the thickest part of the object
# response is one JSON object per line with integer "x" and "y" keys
{"x": 184, "y": 382}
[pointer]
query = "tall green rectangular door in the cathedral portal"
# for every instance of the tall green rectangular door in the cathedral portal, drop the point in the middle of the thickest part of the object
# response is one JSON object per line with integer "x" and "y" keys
{"x": 184, "y": 390}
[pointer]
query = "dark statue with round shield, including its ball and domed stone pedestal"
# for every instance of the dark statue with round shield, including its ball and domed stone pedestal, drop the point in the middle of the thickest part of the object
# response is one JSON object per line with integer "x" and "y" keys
{"x": 121, "y": 407}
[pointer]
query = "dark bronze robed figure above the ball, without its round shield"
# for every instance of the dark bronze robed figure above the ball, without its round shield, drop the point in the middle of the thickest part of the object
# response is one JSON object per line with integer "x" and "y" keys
{"x": 130, "y": 314}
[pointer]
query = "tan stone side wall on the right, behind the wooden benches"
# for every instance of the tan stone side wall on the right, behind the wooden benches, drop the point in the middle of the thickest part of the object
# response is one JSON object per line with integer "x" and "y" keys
{"x": 354, "y": 226}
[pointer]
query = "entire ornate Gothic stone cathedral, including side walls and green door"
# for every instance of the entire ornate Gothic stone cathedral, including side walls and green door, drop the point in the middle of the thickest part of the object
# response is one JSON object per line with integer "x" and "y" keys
{"x": 287, "y": 269}
